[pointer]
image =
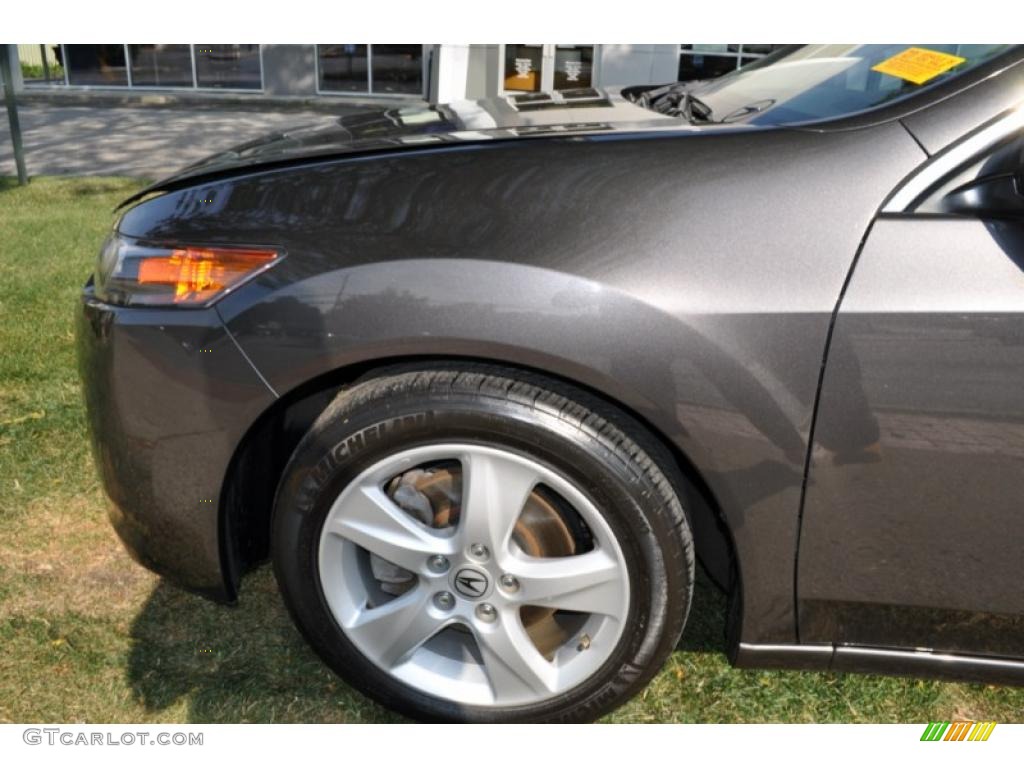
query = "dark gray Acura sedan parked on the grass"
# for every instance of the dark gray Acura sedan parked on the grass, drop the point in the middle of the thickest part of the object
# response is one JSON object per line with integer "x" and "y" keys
{"x": 485, "y": 380}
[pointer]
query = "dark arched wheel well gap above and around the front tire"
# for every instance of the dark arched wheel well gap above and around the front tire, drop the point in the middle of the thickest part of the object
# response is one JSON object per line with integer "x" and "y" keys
{"x": 258, "y": 466}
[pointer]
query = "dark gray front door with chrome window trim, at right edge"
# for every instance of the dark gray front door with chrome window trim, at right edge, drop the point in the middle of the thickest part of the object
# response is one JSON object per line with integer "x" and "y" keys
{"x": 913, "y": 531}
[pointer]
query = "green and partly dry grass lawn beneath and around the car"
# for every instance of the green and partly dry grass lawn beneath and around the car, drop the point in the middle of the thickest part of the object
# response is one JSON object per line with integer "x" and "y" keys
{"x": 90, "y": 636}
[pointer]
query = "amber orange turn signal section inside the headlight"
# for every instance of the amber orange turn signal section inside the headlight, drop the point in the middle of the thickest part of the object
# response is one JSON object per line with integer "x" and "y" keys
{"x": 198, "y": 275}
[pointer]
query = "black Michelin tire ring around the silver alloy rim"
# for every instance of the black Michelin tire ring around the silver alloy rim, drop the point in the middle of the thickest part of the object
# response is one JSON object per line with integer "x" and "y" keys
{"x": 345, "y": 443}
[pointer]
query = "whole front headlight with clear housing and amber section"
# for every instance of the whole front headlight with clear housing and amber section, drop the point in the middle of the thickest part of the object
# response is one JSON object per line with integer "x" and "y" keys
{"x": 134, "y": 274}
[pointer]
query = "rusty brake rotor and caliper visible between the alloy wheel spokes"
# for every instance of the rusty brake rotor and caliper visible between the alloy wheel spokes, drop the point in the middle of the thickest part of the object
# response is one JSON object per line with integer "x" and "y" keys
{"x": 434, "y": 496}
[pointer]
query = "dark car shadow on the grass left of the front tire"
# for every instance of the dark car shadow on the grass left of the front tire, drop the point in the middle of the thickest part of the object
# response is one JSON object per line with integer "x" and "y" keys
{"x": 235, "y": 665}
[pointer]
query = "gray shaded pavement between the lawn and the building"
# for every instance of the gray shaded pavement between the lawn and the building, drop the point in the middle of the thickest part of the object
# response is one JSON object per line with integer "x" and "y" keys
{"x": 145, "y": 143}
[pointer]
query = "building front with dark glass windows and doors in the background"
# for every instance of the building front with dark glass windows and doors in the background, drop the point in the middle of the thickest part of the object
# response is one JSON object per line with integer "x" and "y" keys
{"x": 364, "y": 71}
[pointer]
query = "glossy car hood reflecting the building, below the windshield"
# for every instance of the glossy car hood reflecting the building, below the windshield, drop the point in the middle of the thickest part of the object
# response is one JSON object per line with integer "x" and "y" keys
{"x": 395, "y": 129}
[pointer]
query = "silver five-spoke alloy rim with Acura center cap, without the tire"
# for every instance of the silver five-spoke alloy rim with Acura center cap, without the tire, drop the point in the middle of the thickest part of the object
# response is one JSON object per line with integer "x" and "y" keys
{"x": 475, "y": 574}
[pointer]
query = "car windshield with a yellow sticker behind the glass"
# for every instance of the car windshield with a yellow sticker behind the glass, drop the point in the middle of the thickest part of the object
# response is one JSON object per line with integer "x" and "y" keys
{"x": 816, "y": 82}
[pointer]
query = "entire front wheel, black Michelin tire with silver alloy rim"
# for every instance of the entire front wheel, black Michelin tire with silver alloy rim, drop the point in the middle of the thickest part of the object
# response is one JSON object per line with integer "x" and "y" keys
{"x": 468, "y": 545}
